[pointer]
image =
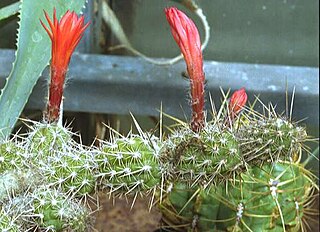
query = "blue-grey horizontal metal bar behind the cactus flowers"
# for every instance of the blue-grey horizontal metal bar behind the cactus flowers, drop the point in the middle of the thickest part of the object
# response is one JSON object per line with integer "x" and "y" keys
{"x": 118, "y": 84}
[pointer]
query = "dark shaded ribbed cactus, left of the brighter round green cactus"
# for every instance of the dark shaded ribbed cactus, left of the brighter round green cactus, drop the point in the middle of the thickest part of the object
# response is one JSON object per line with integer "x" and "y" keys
{"x": 189, "y": 209}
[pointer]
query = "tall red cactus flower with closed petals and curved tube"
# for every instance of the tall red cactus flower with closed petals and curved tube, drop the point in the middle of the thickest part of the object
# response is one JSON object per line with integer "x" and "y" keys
{"x": 187, "y": 37}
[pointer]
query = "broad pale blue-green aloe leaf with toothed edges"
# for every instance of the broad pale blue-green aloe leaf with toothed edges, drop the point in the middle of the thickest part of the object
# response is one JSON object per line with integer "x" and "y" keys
{"x": 32, "y": 56}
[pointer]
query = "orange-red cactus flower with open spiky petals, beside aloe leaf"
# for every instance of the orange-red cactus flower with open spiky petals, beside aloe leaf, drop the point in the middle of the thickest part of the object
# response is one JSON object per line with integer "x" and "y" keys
{"x": 65, "y": 36}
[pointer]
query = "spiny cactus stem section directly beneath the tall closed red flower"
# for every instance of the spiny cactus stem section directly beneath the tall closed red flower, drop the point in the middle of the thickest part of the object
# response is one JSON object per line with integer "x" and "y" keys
{"x": 201, "y": 158}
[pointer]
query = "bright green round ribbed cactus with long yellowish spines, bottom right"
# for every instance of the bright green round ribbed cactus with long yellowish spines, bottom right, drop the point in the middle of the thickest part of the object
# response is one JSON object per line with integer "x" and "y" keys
{"x": 272, "y": 197}
